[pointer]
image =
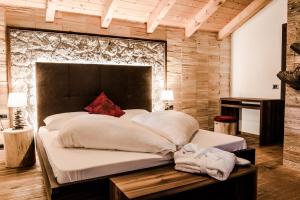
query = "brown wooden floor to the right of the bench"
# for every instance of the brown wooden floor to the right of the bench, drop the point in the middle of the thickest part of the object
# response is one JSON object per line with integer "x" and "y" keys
{"x": 275, "y": 182}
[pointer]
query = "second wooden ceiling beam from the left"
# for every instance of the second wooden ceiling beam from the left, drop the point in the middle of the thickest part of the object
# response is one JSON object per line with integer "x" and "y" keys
{"x": 108, "y": 11}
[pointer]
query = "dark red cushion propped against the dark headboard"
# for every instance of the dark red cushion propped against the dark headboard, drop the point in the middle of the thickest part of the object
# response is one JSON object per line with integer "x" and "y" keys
{"x": 103, "y": 105}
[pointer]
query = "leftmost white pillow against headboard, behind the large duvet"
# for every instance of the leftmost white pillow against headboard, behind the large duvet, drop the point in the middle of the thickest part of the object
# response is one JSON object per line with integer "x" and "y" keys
{"x": 57, "y": 121}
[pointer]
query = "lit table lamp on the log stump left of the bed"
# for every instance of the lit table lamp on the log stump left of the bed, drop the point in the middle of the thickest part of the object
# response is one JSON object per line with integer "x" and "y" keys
{"x": 18, "y": 101}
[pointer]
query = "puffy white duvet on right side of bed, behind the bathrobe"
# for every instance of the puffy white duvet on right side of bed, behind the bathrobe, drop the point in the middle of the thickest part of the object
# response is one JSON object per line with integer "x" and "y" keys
{"x": 177, "y": 127}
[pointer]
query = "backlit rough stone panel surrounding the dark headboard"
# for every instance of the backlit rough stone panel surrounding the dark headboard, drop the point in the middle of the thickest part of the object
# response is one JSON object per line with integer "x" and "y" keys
{"x": 28, "y": 47}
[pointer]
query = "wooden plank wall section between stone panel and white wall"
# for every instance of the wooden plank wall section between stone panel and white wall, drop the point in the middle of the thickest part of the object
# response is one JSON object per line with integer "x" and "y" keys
{"x": 198, "y": 72}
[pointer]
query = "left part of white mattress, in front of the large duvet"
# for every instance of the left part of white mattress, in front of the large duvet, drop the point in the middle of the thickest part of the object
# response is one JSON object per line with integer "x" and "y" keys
{"x": 70, "y": 164}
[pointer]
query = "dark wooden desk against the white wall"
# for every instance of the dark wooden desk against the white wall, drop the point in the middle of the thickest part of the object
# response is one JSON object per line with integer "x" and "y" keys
{"x": 271, "y": 116}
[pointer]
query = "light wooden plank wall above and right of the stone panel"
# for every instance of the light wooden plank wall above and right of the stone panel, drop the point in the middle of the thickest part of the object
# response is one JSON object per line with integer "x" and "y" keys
{"x": 198, "y": 68}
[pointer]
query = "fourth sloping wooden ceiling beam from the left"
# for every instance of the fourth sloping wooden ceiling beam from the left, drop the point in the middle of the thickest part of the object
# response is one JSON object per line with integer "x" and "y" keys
{"x": 202, "y": 16}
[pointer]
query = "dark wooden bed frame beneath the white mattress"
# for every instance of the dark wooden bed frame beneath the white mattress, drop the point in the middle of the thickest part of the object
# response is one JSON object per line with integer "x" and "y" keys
{"x": 97, "y": 188}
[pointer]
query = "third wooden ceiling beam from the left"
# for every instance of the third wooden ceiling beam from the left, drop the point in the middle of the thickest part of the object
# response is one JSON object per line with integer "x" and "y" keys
{"x": 158, "y": 13}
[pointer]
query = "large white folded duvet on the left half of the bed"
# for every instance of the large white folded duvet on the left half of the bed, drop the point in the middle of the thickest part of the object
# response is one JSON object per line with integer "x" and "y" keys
{"x": 107, "y": 132}
